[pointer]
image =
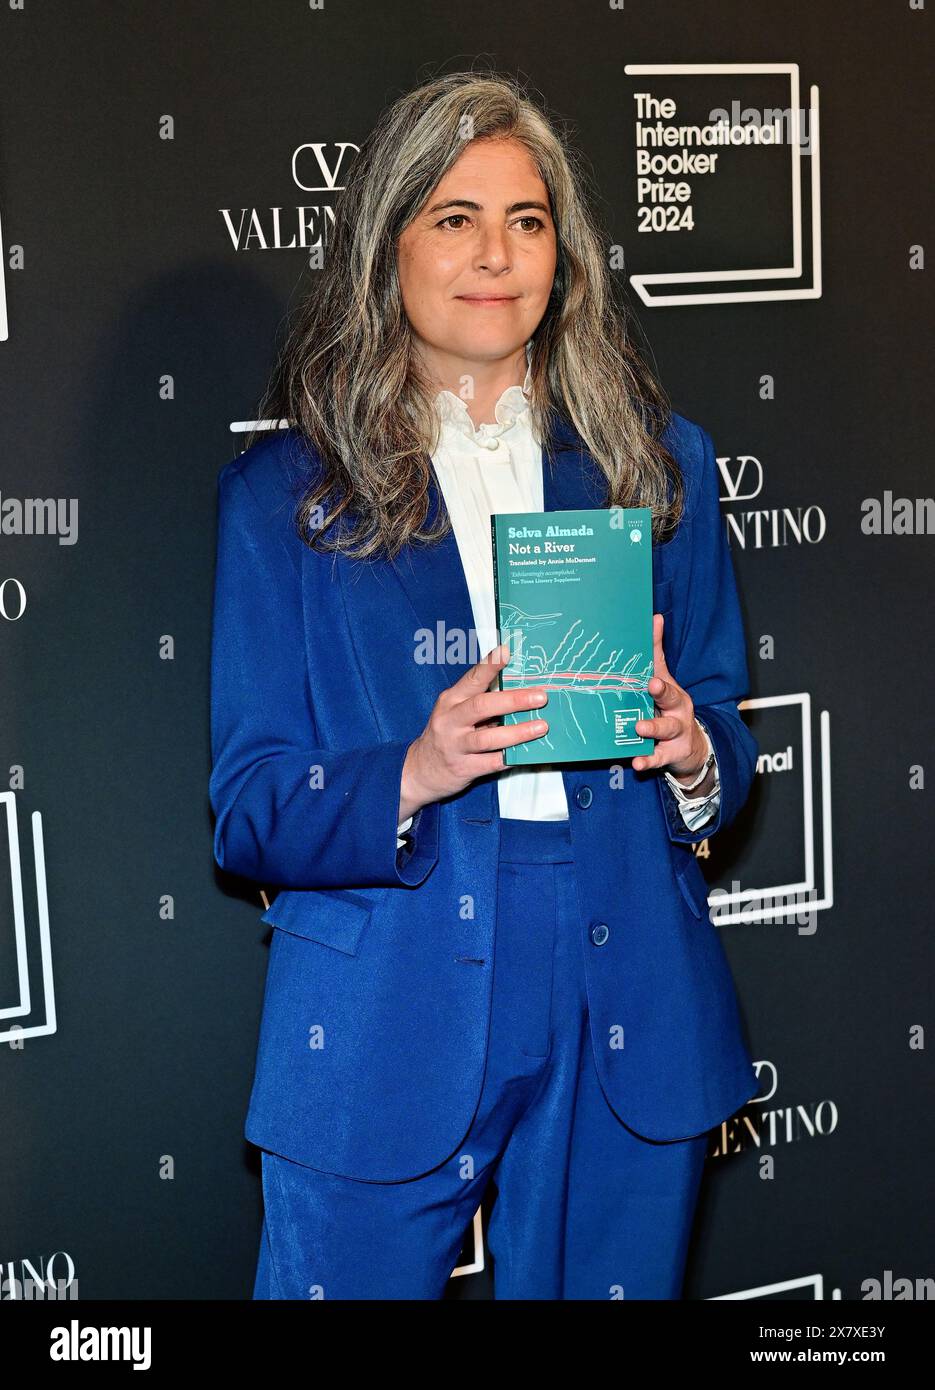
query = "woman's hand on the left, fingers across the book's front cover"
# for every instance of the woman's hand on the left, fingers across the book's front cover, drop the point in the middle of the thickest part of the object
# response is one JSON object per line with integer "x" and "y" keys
{"x": 462, "y": 740}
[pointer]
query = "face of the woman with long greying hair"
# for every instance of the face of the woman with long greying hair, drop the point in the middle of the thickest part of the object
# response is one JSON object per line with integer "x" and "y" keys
{"x": 477, "y": 263}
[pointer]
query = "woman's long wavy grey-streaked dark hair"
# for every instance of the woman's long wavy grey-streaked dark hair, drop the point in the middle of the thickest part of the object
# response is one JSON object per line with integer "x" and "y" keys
{"x": 348, "y": 377}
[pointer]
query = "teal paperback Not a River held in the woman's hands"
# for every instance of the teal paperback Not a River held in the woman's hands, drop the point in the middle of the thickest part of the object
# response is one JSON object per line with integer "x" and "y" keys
{"x": 574, "y": 604}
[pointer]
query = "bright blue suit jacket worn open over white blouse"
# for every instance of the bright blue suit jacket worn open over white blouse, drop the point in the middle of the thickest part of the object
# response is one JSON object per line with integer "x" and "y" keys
{"x": 373, "y": 1039}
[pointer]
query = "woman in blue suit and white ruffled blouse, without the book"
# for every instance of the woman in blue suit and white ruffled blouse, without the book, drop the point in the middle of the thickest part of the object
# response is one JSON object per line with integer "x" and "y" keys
{"x": 476, "y": 974}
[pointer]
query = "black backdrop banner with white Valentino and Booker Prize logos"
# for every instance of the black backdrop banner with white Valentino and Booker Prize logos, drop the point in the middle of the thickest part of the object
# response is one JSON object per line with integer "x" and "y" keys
{"x": 169, "y": 181}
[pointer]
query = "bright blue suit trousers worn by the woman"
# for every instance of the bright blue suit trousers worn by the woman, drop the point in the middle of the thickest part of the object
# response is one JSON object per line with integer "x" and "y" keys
{"x": 586, "y": 1209}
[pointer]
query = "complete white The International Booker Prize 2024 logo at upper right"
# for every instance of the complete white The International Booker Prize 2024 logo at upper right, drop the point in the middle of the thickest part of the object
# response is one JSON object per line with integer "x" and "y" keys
{"x": 718, "y": 149}
